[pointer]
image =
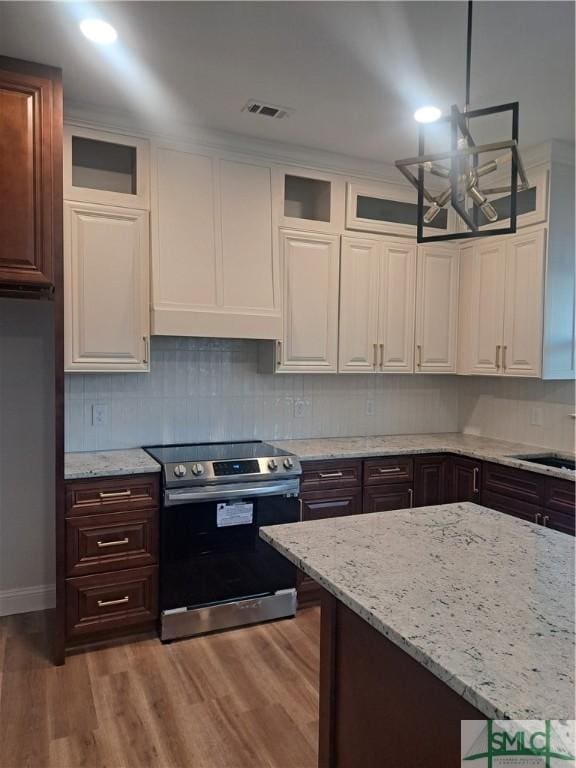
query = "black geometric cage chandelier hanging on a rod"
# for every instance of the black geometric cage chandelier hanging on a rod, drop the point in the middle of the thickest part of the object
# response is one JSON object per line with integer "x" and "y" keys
{"x": 464, "y": 172}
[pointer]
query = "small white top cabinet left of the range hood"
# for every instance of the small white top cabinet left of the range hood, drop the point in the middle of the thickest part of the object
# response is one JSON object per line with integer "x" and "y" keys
{"x": 106, "y": 168}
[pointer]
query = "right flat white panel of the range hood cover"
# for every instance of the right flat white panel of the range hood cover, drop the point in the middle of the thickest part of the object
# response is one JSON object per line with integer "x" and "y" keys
{"x": 249, "y": 279}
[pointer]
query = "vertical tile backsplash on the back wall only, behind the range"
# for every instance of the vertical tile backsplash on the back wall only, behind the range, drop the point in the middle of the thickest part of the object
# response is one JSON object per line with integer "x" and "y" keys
{"x": 210, "y": 389}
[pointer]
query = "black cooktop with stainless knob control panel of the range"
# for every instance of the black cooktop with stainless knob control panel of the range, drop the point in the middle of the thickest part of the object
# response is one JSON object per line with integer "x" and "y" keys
{"x": 210, "y": 463}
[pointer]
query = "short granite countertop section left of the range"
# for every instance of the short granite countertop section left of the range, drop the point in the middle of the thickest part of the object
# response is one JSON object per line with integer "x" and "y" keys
{"x": 131, "y": 461}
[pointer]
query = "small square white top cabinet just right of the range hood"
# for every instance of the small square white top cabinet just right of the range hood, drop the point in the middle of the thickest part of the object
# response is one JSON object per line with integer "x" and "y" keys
{"x": 307, "y": 199}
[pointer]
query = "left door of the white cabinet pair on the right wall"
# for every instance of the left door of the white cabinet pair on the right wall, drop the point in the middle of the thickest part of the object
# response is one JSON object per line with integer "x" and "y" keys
{"x": 482, "y": 278}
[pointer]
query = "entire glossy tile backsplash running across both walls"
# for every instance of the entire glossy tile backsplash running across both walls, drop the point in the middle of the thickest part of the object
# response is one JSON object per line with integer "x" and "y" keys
{"x": 211, "y": 389}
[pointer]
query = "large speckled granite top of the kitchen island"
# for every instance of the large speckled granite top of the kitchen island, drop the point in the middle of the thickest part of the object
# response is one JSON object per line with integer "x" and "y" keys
{"x": 483, "y": 600}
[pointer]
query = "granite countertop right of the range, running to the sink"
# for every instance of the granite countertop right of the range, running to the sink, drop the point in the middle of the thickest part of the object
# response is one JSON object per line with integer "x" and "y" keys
{"x": 483, "y": 448}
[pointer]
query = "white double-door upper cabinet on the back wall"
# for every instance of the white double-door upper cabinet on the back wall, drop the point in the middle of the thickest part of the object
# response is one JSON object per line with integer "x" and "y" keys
{"x": 377, "y": 286}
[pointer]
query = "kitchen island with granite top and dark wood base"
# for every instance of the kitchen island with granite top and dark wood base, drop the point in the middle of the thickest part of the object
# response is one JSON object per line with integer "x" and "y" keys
{"x": 431, "y": 616}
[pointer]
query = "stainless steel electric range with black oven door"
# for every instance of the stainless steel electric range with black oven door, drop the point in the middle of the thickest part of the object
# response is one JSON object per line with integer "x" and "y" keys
{"x": 215, "y": 570}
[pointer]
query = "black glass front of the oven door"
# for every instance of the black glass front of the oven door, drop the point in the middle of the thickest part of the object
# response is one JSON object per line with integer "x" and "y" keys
{"x": 204, "y": 563}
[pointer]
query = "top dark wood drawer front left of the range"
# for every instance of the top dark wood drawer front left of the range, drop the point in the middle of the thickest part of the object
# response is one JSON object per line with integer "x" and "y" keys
{"x": 88, "y": 497}
